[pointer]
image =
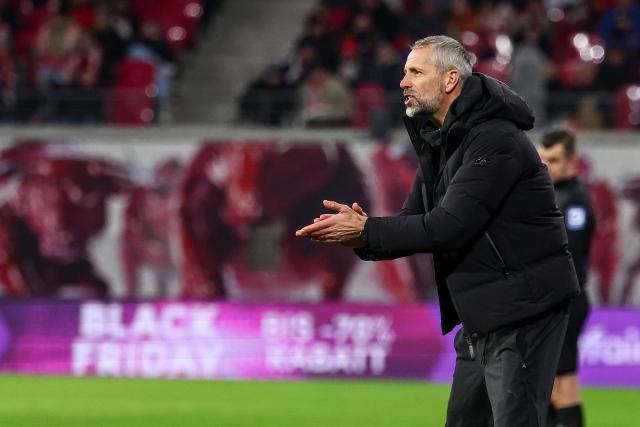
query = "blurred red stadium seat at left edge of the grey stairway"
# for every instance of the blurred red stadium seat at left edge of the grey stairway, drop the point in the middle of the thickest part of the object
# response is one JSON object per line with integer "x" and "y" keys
{"x": 132, "y": 98}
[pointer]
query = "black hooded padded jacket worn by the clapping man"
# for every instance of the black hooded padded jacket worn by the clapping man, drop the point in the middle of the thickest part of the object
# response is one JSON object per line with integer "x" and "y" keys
{"x": 486, "y": 210}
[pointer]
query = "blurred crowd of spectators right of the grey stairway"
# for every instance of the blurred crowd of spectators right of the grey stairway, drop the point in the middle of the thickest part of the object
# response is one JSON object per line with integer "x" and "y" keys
{"x": 346, "y": 65}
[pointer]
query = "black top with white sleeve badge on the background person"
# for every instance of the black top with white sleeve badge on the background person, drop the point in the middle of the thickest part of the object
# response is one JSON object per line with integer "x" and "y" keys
{"x": 573, "y": 201}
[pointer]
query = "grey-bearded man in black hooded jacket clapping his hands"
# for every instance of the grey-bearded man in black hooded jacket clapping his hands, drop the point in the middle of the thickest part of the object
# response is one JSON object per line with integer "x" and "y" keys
{"x": 483, "y": 204}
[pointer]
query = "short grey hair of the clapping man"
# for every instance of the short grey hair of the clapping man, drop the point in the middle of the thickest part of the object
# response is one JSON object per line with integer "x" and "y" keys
{"x": 447, "y": 54}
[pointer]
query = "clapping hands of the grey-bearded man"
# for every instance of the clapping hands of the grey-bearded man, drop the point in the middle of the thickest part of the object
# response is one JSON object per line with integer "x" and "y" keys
{"x": 344, "y": 226}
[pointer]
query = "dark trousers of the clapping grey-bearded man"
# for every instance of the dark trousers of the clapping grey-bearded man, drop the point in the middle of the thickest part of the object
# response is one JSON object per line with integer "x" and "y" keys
{"x": 504, "y": 378}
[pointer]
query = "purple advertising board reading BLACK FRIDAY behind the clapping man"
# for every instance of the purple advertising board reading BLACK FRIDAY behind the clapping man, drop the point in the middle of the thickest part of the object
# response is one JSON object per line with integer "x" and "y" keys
{"x": 174, "y": 339}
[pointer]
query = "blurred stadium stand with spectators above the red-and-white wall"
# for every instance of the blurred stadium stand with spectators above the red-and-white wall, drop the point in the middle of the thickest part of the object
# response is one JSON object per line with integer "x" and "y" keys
{"x": 301, "y": 63}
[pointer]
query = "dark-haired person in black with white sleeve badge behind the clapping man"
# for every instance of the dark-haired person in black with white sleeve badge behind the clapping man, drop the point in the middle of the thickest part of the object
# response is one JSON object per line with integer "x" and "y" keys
{"x": 558, "y": 152}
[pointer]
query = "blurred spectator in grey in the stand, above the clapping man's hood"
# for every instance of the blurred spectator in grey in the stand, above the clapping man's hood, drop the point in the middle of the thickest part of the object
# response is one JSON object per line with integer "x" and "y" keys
{"x": 528, "y": 74}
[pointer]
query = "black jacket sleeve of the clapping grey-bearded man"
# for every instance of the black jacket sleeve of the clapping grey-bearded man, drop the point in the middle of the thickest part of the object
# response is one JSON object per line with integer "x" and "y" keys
{"x": 489, "y": 170}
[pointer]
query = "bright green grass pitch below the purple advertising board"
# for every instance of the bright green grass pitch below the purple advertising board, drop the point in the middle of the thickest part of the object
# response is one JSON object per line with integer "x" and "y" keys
{"x": 96, "y": 402}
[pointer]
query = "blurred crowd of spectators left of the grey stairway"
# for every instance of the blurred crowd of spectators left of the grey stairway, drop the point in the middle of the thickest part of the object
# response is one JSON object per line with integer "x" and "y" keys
{"x": 59, "y": 59}
